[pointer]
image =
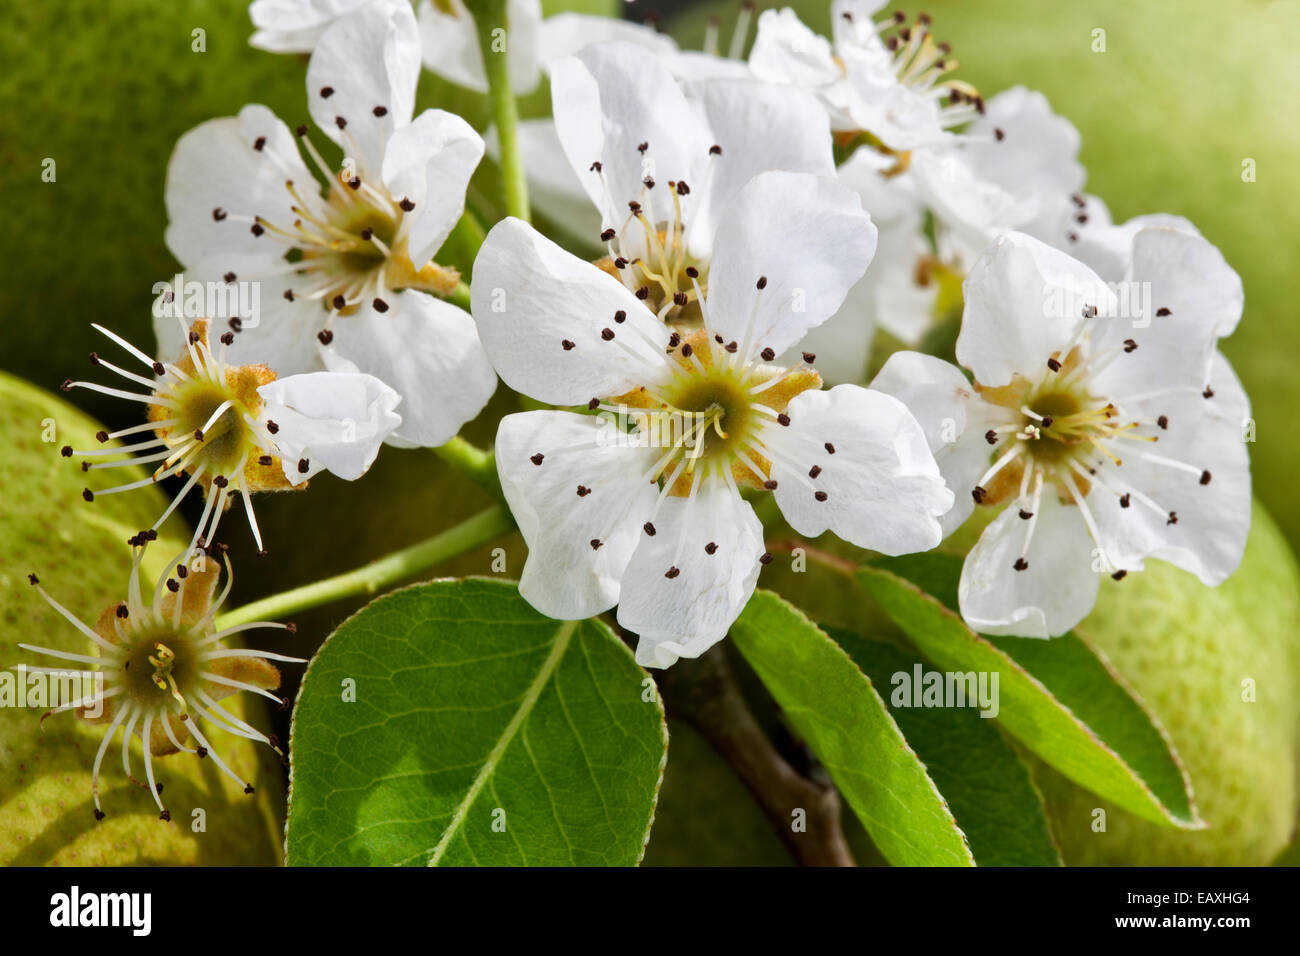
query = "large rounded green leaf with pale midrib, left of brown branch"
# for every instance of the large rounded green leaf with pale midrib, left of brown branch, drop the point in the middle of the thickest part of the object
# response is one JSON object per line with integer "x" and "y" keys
{"x": 450, "y": 724}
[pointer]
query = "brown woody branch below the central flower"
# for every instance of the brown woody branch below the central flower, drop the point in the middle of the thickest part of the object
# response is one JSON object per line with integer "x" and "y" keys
{"x": 704, "y": 693}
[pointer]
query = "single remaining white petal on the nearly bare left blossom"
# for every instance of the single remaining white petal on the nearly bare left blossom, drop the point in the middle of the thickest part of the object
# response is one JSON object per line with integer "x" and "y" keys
{"x": 333, "y": 421}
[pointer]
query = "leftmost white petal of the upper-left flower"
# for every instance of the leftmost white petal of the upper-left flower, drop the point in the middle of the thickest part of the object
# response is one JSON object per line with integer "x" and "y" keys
{"x": 216, "y": 171}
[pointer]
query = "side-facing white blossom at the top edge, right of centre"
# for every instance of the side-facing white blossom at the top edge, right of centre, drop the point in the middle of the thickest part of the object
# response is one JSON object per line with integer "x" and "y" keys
{"x": 883, "y": 79}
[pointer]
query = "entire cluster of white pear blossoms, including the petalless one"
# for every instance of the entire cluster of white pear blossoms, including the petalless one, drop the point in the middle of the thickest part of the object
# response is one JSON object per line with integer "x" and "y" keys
{"x": 723, "y": 223}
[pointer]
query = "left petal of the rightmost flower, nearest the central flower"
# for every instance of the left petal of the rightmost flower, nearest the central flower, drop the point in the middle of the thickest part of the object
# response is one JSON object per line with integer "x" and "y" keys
{"x": 954, "y": 418}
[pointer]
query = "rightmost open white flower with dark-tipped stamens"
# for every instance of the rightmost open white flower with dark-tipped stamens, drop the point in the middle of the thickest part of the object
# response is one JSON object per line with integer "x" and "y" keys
{"x": 1113, "y": 435}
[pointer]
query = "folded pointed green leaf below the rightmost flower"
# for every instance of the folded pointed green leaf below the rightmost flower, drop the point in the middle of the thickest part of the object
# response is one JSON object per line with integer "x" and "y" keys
{"x": 1061, "y": 699}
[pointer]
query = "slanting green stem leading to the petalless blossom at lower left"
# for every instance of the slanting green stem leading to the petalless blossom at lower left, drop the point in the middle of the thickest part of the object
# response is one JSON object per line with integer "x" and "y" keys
{"x": 380, "y": 574}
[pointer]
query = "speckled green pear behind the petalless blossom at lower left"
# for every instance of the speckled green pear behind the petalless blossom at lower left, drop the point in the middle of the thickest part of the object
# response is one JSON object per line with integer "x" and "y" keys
{"x": 80, "y": 552}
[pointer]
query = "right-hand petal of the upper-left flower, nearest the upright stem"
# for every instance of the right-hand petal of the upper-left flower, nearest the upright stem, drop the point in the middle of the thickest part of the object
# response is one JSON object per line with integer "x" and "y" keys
{"x": 430, "y": 163}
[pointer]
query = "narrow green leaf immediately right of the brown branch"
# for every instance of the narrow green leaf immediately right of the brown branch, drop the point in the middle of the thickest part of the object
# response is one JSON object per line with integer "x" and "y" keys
{"x": 837, "y": 711}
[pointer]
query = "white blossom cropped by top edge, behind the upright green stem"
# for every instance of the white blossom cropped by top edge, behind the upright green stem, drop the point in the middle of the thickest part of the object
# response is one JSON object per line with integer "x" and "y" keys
{"x": 450, "y": 41}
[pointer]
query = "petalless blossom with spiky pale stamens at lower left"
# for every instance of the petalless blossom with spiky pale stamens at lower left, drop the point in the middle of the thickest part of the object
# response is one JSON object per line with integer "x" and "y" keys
{"x": 183, "y": 671}
